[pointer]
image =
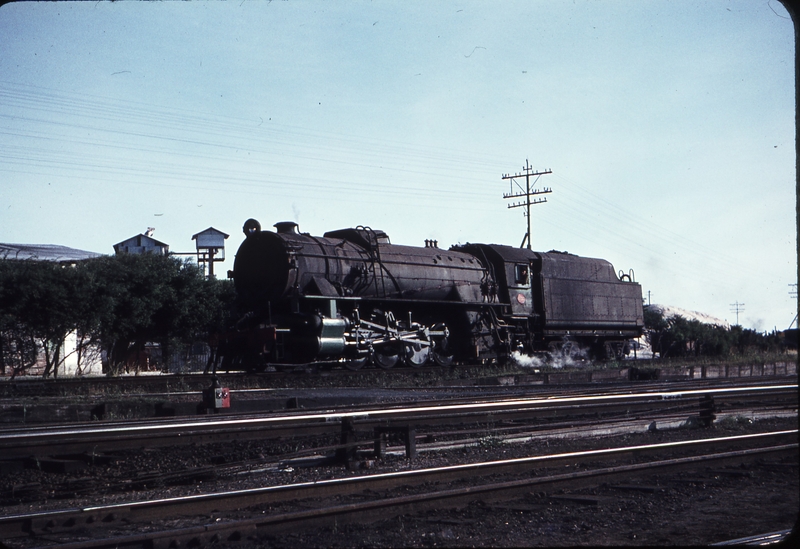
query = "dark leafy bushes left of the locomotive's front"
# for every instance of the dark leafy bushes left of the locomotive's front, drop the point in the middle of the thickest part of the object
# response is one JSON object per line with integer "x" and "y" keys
{"x": 118, "y": 303}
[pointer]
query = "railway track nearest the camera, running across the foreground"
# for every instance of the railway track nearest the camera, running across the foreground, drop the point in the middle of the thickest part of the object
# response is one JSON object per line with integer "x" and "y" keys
{"x": 369, "y": 497}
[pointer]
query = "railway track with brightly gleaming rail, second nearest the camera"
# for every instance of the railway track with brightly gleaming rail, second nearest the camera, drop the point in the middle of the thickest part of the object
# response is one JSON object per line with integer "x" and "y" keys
{"x": 513, "y": 413}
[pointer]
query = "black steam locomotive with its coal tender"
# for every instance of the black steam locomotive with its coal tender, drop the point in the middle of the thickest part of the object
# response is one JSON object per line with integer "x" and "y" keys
{"x": 353, "y": 298}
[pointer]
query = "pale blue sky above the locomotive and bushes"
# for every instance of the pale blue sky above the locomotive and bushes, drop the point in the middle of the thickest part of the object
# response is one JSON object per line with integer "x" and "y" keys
{"x": 669, "y": 127}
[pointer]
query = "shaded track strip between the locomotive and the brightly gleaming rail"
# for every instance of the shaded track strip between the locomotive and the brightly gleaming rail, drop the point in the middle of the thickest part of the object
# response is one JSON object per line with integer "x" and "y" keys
{"x": 76, "y": 401}
